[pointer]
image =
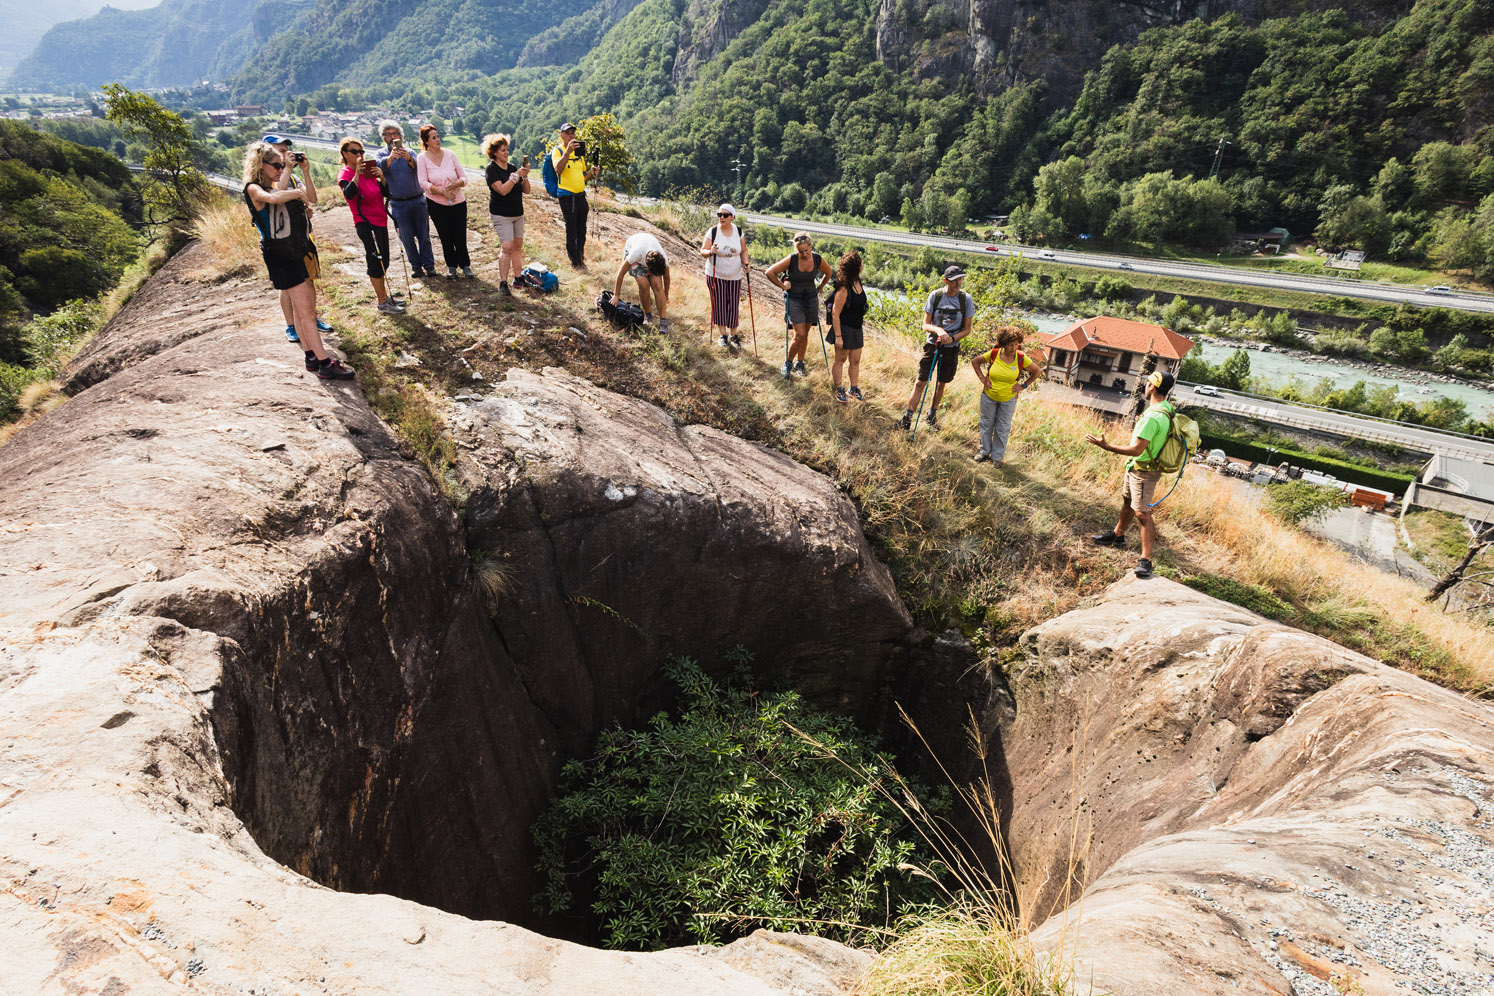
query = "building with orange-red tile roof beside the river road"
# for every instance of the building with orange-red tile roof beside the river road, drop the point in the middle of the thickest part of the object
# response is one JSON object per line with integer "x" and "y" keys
{"x": 1109, "y": 353}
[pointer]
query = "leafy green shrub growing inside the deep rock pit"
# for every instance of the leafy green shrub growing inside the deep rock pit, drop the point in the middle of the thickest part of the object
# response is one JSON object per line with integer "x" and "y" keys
{"x": 724, "y": 819}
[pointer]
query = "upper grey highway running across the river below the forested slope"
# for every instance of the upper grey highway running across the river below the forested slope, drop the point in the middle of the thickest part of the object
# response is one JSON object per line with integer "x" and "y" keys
{"x": 1123, "y": 265}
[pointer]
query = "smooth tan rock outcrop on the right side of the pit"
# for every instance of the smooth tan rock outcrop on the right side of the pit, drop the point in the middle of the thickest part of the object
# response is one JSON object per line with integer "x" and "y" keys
{"x": 1254, "y": 810}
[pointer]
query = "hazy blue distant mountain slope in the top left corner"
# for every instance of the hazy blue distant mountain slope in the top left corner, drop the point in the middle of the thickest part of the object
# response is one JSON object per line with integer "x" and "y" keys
{"x": 174, "y": 44}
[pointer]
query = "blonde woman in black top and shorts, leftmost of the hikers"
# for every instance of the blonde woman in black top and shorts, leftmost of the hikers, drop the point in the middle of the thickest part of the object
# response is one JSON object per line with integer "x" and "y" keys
{"x": 280, "y": 216}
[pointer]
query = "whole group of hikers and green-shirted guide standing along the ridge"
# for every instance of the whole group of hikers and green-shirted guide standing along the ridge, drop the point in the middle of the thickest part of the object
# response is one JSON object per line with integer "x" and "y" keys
{"x": 428, "y": 189}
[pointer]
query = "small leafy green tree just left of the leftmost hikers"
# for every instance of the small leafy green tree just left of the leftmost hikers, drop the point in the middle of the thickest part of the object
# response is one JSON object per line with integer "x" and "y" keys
{"x": 171, "y": 186}
